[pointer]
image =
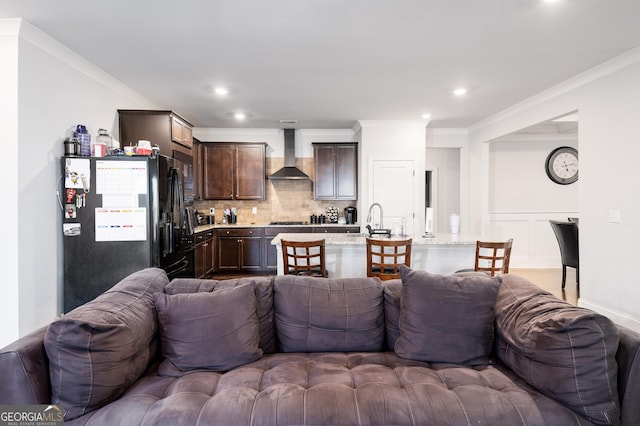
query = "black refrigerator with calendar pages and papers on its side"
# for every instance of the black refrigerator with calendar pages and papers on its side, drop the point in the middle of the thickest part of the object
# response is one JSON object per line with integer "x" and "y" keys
{"x": 120, "y": 214}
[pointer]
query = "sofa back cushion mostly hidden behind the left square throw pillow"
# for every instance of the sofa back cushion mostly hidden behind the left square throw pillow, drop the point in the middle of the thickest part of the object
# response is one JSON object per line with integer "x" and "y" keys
{"x": 264, "y": 299}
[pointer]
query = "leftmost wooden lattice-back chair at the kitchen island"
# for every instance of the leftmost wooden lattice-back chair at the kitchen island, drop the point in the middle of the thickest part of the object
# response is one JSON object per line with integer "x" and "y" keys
{"x": 304, "y": 258}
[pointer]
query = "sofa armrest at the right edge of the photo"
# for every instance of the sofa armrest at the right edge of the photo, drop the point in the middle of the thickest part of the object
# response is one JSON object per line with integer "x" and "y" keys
{"x": 628, "y": 359}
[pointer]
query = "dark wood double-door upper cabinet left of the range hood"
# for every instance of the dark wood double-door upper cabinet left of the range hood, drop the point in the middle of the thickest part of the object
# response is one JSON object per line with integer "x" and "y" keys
{"x": 233, "y": 171}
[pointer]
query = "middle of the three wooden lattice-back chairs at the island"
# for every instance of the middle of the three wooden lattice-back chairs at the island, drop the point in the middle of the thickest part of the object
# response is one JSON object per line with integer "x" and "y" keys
{"x": 384, "y": 257}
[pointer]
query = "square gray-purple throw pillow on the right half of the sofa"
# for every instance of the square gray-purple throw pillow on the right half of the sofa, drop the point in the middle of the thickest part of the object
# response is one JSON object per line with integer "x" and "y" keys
{"x": 446, "y": 318}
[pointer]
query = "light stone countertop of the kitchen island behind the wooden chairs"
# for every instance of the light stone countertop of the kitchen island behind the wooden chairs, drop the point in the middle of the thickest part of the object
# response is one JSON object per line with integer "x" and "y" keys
{"x": 360, "y": 239}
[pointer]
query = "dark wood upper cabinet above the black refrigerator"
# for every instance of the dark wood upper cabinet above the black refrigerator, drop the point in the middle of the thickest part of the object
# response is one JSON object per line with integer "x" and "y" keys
{"x": 163, "y": 128}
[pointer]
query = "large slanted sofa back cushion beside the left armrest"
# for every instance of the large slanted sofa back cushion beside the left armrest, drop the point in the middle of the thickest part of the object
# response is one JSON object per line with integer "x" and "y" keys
{"x": 98, "y": 350}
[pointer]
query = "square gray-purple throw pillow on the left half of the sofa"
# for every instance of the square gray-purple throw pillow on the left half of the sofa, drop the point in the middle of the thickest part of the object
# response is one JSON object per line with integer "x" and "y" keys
{"x": 214, "y": 331}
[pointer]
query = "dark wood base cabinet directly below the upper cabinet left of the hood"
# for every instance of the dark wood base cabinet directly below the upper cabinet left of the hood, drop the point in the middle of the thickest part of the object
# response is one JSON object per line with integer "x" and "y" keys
{"x": 239, "y": 249}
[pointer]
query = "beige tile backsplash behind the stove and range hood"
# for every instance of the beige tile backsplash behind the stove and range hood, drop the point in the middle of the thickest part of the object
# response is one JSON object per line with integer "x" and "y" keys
{"x": 287, "y": 200}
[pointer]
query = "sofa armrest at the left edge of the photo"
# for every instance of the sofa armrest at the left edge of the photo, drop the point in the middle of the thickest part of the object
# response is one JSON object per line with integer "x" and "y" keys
{"x": 25, "y": 371}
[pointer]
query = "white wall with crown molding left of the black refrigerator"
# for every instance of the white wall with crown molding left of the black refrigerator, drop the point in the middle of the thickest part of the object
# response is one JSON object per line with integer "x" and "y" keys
{"x": 56, "y": 89}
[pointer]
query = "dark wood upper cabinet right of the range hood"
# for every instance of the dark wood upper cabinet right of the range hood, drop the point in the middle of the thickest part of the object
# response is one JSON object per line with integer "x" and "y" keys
{"x": 336, "y": 171}
